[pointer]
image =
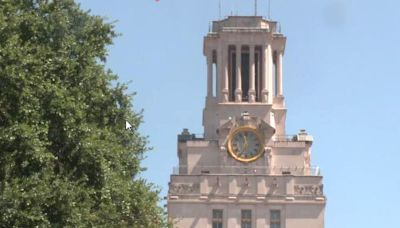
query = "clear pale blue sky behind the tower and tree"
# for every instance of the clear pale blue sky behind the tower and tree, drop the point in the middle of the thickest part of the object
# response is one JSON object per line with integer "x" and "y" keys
{"x": 341, "y": 83}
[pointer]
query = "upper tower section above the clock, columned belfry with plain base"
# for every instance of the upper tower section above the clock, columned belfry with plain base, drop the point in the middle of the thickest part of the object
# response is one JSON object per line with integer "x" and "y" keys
{"x": 244, "y": 59}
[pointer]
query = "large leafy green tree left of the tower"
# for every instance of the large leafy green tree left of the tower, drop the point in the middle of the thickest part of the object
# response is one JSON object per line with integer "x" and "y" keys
{"x": 65, "y": 157}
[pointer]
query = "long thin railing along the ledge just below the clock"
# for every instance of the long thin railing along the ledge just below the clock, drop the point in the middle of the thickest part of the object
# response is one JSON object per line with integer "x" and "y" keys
{"x": 256, "y": 170}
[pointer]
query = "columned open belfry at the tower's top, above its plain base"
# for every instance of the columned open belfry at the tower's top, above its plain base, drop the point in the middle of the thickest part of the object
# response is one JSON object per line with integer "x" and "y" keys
{"x": 247, "y": 51}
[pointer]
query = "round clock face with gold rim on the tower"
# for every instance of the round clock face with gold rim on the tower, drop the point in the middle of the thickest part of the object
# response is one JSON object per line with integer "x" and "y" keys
{"x": 245, "y": 144}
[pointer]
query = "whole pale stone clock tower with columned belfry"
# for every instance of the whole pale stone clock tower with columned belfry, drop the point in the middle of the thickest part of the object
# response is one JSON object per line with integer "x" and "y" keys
{"x": 245, "y": 171}
